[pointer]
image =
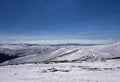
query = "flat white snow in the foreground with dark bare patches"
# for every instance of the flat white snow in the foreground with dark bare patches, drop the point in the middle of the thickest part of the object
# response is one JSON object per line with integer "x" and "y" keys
{"x": 108, "y": 71}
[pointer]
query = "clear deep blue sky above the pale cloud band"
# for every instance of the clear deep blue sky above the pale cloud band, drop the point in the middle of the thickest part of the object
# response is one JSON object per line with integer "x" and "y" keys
{"x": 60, "y": 19}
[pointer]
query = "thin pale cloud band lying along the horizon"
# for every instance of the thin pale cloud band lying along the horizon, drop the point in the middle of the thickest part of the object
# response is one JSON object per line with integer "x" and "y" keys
{"x": 78, "y": 41}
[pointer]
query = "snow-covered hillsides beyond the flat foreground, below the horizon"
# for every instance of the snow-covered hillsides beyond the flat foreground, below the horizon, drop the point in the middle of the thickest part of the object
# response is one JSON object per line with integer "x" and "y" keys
{"x": 37, "y": 53}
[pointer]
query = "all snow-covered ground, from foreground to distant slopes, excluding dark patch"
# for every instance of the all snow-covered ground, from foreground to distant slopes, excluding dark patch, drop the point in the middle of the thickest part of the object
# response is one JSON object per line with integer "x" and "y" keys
{"x": 30, "y": 65}
